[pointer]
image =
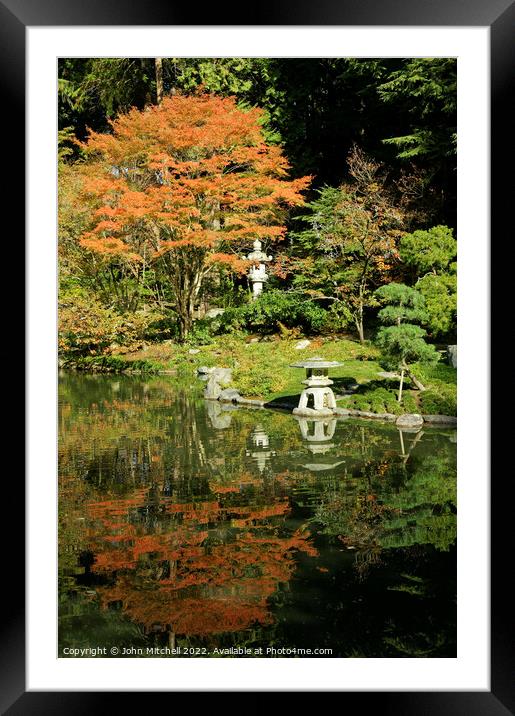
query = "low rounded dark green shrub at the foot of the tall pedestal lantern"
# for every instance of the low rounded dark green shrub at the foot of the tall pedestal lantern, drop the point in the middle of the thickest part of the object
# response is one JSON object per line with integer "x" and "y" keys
{"x": 274, "y": 308}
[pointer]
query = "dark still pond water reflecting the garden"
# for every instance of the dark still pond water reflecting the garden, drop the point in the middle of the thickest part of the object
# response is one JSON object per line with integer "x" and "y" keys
{"x": 187, "y": 527}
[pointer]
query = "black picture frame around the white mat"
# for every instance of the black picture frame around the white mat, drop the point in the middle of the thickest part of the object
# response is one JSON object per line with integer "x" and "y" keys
{"x": 499, "y": 16}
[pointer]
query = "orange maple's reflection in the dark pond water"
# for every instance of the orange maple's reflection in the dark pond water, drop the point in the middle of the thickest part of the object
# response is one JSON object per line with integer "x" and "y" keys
{"x": 207, "y": 568}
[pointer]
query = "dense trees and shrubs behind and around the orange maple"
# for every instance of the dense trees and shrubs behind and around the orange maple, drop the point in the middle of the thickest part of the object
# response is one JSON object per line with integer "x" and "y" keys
{"x": 375, "y": 136}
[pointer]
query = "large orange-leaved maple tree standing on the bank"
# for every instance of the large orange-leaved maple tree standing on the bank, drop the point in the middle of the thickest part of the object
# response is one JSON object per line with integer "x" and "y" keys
{"x": 187, "y": 183}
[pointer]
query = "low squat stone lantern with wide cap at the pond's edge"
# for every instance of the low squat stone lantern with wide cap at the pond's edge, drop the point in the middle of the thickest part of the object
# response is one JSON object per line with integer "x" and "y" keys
{"x": 318, "y": 393}
